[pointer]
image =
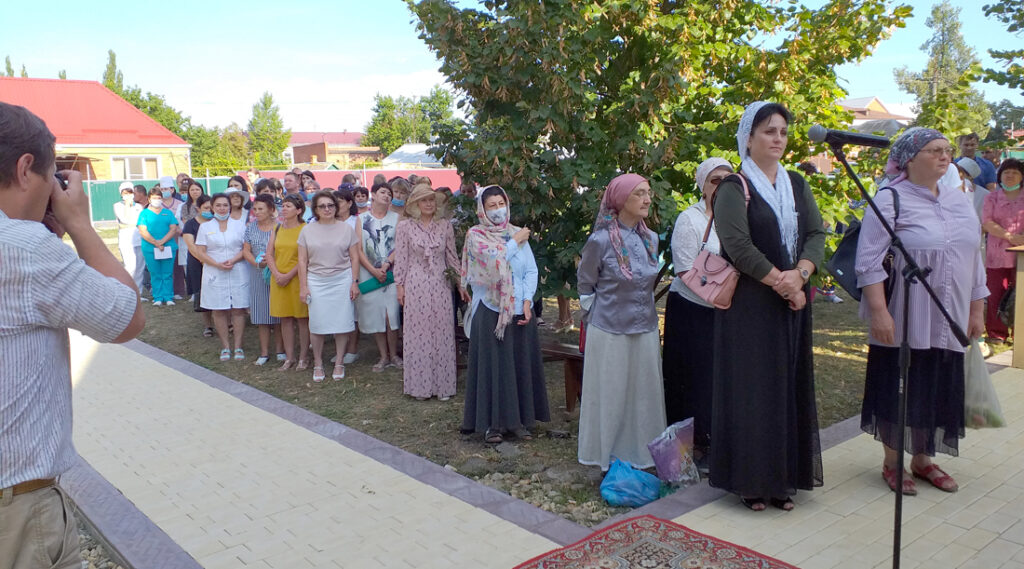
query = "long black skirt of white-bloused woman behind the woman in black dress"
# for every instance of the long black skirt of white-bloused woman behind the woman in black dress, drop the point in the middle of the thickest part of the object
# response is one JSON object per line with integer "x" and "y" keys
{"x": 688, "y": 365}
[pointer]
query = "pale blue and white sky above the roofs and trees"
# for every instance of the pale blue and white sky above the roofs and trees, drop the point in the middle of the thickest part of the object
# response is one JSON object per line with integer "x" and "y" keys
{"x": 324, "y": 61}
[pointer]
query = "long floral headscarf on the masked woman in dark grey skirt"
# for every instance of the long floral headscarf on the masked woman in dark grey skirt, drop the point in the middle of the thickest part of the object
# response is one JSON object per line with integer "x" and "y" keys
{"x": 485, "y": 262}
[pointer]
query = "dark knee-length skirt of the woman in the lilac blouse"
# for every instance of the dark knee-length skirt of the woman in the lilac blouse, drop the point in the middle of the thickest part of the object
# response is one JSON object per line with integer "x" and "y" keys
{"x": 934, "y": 400}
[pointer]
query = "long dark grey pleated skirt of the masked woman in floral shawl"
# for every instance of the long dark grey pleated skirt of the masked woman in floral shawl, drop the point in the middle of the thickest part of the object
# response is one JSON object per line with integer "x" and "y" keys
{"x": 505, "y": 388}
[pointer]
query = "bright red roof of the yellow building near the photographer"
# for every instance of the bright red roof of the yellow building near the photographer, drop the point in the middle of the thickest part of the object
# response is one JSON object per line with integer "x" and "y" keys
{"x": 86, "y": 113}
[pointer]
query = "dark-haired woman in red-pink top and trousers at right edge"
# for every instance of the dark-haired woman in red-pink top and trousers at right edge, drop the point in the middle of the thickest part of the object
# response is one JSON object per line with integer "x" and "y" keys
{"x": 1003, "y": 221}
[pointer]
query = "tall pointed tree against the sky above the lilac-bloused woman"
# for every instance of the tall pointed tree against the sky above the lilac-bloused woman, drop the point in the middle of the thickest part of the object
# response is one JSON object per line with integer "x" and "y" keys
{"x": 951, "y": 61}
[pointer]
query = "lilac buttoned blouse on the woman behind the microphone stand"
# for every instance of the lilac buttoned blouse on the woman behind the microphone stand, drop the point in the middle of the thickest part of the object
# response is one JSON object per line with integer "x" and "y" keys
{"x": 942, "y": 233}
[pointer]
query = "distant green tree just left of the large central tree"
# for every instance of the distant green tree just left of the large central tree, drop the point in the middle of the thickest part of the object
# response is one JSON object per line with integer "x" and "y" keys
{"x": 398, "y": 121}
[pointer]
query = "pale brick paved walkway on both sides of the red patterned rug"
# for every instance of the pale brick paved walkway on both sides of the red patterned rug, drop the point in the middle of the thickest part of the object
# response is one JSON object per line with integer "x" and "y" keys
{"x": 184, "y": 468}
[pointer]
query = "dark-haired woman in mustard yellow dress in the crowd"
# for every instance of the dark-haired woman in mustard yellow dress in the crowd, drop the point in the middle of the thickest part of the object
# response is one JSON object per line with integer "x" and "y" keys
{"x": 283, "y": 258}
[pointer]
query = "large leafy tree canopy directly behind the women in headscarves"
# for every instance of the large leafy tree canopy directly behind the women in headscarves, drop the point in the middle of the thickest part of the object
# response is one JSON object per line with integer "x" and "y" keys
{"x": 563, "y": 96}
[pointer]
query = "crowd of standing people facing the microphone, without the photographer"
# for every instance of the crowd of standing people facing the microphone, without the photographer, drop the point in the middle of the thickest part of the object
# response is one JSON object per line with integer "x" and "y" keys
{"x": 304, "y": 264}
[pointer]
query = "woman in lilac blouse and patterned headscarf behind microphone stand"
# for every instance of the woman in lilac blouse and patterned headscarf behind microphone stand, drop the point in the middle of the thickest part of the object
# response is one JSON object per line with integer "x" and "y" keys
{"x": 942, "y": 231}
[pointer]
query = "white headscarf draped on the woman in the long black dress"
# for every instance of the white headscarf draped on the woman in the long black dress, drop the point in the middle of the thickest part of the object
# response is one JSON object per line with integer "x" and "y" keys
{"x": 779, "y": 196}
